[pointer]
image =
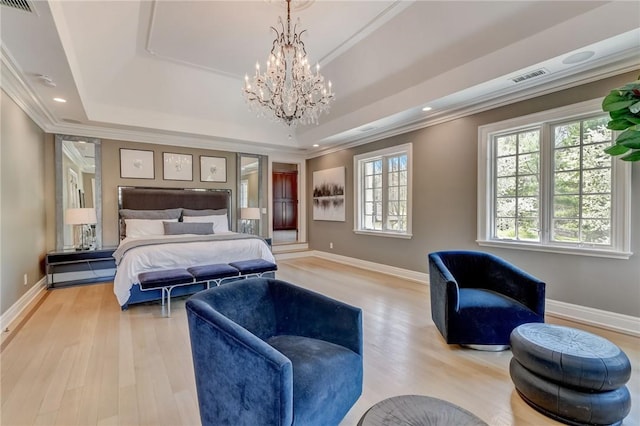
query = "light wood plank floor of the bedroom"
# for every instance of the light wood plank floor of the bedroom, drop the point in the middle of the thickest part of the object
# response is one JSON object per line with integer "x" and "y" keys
{"x": 79, "y": 360}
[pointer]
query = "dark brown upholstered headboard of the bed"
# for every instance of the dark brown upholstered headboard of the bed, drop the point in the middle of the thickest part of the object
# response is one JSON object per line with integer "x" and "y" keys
{"x": 138, "y": 198}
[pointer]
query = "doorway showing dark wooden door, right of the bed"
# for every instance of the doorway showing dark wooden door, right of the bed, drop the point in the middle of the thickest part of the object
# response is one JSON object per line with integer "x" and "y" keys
{"x": 285, "y": 203}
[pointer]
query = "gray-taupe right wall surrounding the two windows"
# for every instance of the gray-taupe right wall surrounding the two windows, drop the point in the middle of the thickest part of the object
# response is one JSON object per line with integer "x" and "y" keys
{"x": 444, "y": 209}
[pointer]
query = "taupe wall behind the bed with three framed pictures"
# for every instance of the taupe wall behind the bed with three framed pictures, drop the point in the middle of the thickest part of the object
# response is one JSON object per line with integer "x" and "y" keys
{"x": 111, "y": 179}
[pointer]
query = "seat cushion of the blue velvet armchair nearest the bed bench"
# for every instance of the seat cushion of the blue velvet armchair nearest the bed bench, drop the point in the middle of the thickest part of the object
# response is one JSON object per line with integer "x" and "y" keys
{"x": 323, "y": 377}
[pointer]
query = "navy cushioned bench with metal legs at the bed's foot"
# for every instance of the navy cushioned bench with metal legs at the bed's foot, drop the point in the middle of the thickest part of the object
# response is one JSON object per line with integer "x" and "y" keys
{"x": 168, "y": 279}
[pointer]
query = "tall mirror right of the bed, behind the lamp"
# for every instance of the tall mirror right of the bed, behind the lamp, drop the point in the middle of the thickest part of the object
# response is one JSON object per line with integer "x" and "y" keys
{"x": 250, "y": 187}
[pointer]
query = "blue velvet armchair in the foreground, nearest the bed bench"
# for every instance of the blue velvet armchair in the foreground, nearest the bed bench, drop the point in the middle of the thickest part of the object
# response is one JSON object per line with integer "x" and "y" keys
{"x": 266, "y": 352}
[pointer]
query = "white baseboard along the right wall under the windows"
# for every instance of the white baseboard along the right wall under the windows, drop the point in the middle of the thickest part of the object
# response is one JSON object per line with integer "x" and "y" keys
{"x": 613, "y": 321}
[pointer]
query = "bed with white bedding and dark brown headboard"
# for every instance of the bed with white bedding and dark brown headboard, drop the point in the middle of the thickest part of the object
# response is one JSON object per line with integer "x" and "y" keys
{"x": 163, "y": 228}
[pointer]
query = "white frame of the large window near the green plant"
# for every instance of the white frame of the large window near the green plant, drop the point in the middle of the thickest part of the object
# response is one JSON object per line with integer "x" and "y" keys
{"x": 621, "y": 187}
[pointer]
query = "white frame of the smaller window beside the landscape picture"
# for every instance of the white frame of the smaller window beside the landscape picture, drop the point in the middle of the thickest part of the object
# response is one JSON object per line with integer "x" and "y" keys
{"x": 357, "y": 185}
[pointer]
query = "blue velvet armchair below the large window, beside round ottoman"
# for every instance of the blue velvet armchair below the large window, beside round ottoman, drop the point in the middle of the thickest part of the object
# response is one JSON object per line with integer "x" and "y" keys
{"x": 477, "y": 298}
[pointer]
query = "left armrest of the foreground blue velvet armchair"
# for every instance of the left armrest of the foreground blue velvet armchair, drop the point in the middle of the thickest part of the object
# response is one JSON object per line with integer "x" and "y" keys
{"x": 255, "y": 378}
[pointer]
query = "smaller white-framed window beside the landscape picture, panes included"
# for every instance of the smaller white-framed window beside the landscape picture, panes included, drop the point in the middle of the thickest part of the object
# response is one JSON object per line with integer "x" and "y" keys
{"x": 383, "y": 188}
